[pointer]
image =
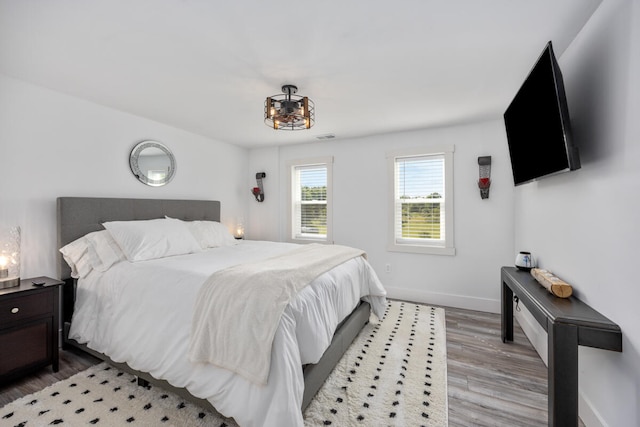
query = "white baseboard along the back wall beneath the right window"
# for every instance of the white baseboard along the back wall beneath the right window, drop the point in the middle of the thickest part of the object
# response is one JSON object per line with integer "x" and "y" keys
{"x": 448, "y": 300}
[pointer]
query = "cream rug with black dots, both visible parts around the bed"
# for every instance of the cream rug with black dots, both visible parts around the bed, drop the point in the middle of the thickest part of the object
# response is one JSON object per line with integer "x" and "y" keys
{"x": 394, "y": 374}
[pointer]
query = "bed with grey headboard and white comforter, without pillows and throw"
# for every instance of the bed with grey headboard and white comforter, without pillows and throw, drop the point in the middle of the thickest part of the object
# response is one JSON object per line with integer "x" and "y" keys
{"x": 288, "y": 391}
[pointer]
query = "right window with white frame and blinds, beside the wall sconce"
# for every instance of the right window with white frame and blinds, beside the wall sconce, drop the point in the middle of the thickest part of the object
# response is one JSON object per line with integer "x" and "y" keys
{"x": 421, "y": 206}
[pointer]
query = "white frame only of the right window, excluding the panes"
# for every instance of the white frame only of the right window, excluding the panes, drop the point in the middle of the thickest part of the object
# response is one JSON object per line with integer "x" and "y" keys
{"x": 425, "y": 246}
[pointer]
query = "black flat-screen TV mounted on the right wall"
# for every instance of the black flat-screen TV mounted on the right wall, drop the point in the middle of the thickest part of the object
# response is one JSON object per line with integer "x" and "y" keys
{"x": 538, "y": 126}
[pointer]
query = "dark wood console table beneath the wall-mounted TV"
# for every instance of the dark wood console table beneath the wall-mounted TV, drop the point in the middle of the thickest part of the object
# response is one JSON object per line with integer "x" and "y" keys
{"x": 569, "y": 323}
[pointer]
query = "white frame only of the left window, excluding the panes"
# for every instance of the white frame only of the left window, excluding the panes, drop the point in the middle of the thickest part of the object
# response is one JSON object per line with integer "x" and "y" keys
{"x": 291, "y": 168}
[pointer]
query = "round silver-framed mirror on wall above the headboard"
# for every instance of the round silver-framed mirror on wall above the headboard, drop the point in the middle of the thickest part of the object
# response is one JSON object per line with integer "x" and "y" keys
{"x": 152, "y": 163}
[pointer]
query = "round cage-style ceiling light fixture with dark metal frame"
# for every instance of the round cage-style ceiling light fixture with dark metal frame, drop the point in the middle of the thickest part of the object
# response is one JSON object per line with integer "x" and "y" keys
{"x": 289, "y": 111}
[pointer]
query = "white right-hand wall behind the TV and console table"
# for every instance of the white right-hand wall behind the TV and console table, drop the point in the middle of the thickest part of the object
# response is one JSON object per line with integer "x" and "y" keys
{"x": 584, "y": 226}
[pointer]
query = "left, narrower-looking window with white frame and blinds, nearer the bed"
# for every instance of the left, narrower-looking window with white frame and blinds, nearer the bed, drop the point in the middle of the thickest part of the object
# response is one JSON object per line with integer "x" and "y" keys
{"x": 310, "y": 200}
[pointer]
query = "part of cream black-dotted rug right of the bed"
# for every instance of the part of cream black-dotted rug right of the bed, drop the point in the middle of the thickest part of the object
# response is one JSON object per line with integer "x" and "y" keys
{"x": 394, "y": 374}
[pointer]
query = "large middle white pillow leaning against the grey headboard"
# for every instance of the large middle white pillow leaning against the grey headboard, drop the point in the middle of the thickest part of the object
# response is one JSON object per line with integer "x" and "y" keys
{"x": 154, "y": 238}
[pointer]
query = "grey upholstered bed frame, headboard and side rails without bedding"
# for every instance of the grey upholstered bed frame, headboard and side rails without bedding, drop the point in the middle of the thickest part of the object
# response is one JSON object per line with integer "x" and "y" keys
{"x": 78, "y": 216}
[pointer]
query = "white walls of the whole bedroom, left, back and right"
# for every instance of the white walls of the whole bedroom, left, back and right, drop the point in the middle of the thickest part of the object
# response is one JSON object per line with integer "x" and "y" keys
{"x": 53, "y": 145}
